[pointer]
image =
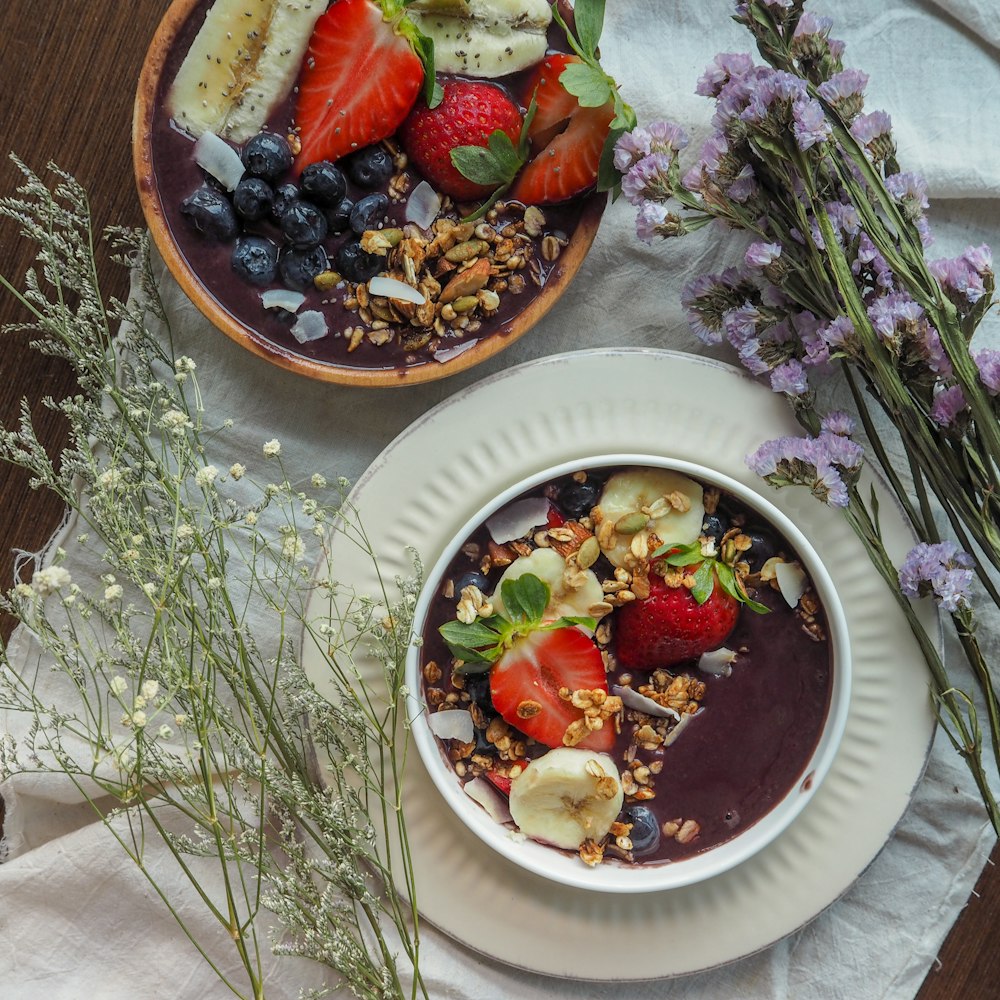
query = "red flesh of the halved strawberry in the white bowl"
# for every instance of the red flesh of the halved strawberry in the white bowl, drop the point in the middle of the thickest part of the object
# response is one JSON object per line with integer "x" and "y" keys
{"x": 527, "y": 679}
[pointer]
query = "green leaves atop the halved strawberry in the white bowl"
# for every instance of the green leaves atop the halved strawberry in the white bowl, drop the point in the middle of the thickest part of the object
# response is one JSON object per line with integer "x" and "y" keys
{"x": 481, "y": 643}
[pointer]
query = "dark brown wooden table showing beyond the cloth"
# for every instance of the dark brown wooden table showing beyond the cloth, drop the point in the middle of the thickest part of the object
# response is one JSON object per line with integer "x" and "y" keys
{"x": 67, "y": 74}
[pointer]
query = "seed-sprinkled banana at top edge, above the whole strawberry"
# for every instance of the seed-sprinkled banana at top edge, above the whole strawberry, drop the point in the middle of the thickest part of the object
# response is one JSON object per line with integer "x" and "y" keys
{"x": 484, "y": 38}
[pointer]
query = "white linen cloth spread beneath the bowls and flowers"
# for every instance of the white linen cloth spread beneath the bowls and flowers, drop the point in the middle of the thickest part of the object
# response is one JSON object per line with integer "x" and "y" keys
{"x": 77, "y": 920}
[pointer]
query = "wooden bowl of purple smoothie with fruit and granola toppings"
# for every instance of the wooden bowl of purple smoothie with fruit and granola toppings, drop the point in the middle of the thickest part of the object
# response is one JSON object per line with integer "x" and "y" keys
{"x": 367, "y": 191}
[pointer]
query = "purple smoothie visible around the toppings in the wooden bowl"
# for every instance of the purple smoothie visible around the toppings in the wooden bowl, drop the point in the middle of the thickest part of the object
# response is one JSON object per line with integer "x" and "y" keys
{"x": 176, "y": 176}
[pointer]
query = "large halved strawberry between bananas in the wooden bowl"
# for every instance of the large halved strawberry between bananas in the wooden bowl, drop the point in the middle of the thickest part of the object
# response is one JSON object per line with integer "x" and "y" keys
{"x": 359, "y": 80}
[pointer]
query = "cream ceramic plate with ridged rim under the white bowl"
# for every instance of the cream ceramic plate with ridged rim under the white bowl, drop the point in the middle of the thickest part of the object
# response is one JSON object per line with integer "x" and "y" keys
{"x": 435, "y": 475}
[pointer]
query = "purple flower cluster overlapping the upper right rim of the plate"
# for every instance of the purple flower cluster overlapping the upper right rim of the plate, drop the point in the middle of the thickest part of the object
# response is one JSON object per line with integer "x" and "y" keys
{"x": 828, "y": 464}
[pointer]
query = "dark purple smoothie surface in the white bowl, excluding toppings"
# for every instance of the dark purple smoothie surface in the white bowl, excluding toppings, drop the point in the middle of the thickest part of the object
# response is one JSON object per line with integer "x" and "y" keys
{"x": 757, "y": 730}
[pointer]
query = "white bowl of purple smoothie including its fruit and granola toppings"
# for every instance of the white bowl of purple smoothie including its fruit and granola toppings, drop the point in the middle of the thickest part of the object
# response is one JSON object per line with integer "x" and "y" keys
{"x": 632, "y": 673}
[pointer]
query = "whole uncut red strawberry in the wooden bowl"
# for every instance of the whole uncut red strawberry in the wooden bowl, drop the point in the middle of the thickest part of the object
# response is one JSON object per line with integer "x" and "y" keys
{"x": 468, "y": 114}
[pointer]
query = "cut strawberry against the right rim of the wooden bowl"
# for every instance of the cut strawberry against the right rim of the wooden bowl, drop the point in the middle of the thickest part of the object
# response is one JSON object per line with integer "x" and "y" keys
{"x": 568, "y": 162}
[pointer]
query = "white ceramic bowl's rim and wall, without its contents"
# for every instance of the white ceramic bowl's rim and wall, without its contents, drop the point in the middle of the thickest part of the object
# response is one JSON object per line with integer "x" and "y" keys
{"x": 612, "y": 875}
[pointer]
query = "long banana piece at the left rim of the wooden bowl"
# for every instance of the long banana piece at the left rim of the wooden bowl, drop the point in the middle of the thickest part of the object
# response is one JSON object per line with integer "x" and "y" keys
{"x": 243, "y": 62}
